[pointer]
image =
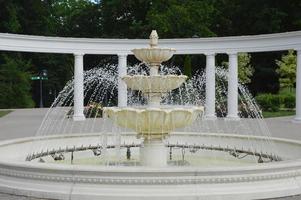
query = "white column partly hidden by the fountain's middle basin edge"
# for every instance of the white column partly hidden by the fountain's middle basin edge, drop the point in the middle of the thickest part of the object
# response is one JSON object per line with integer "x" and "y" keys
{"x": 122, "y": 88}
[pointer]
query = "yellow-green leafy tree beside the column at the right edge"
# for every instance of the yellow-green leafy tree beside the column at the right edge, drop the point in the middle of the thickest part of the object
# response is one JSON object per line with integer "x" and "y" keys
{"x": 287, "y": 70}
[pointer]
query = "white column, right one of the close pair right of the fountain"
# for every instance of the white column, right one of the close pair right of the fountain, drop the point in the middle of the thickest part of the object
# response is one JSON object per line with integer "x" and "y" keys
{"x": 233, "y": 87}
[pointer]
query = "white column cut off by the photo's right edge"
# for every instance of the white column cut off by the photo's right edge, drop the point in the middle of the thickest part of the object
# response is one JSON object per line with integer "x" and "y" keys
{"x": 298, "y": 88}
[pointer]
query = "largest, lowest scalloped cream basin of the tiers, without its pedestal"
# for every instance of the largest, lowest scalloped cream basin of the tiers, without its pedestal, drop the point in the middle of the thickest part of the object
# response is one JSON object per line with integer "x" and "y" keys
{"x": 153, "y": 121}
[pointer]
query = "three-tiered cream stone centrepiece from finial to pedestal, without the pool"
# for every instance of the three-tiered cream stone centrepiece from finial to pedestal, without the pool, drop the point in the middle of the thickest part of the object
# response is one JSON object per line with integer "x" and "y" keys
{"x": 153, "y": 122}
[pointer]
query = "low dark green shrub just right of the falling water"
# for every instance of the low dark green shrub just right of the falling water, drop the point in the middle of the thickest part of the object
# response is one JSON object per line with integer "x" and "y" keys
{"x": 269, "y": 102}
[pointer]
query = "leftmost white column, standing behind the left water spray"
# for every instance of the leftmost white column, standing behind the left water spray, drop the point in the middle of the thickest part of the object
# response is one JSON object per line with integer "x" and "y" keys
{"x": 78, "y": 87}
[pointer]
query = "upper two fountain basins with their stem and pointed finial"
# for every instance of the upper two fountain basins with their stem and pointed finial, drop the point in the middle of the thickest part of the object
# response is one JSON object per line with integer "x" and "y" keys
{"x": 154, "y": 86}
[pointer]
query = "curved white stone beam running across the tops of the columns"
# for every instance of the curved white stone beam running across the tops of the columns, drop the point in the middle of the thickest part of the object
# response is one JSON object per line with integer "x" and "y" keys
{"x": 256, "y": 43}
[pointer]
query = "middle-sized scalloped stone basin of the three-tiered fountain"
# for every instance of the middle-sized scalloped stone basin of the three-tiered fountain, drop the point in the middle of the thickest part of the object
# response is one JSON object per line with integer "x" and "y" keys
{"x": 154, "y": 84}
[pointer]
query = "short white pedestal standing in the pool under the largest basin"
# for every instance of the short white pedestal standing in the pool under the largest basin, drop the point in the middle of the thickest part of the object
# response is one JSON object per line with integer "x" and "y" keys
{"x": 153, "y": 153}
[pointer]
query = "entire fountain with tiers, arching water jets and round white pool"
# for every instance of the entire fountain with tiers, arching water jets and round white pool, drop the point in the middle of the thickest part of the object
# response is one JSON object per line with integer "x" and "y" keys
{"x": 157, "y": 150}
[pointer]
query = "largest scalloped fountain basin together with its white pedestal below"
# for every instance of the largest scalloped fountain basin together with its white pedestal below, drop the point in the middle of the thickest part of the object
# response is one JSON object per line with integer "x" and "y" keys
{"x": 153, "y": 125}
